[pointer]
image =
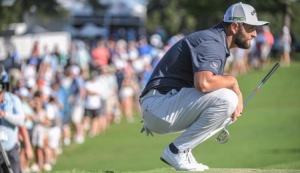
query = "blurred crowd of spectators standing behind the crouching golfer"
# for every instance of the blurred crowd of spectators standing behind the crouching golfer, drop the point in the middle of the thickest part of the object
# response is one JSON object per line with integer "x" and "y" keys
{"x": 67, "y": 98}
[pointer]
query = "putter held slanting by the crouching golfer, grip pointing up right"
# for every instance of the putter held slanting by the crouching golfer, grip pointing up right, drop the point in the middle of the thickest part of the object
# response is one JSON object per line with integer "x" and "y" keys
{"x": 224, "y": 136}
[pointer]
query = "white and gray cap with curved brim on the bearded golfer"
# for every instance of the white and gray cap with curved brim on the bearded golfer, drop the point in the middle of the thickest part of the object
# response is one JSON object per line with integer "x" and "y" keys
{"x": 243, "y": 13}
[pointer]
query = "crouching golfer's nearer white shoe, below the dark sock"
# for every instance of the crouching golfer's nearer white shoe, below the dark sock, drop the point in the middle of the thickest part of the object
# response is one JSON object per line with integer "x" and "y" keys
{"x": 180, "y": 161}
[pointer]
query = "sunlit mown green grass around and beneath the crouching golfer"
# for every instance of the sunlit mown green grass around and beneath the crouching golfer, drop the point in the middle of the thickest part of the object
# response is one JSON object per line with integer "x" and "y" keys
{"x": 265, "y": 139}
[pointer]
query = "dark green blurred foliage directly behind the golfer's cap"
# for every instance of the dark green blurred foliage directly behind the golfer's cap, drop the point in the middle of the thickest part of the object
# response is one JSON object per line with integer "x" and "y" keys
{"x": 206, "y": 13}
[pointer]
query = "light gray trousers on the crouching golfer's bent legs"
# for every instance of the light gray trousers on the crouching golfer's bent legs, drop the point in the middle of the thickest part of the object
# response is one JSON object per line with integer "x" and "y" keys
{"x": 198, "y": 115}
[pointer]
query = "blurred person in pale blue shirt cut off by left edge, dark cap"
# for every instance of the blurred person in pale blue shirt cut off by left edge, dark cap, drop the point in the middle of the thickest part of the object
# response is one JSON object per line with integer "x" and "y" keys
{"x": 11, "y": 117}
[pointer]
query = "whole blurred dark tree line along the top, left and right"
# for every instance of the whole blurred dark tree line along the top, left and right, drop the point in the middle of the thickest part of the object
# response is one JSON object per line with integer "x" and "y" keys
{"x": 173, "y": 15}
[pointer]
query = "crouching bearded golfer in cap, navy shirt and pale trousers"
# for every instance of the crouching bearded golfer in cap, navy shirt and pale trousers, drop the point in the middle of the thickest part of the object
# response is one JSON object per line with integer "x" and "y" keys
{"x": 188, "y": 92}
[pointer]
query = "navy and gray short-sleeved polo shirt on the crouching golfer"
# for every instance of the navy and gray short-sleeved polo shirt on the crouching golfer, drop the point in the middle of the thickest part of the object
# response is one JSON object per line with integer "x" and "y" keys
{"x": 205, "y": 50}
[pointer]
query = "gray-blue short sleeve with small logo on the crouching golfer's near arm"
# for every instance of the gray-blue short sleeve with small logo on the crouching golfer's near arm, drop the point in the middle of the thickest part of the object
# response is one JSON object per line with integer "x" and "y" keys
{"x": 208, "y": 56}
